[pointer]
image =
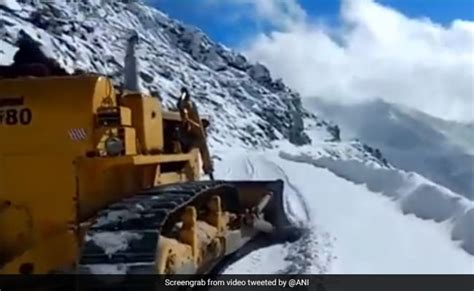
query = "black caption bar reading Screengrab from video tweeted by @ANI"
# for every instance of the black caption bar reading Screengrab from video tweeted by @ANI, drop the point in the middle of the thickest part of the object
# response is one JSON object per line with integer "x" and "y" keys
{"x": 241, "y": 282}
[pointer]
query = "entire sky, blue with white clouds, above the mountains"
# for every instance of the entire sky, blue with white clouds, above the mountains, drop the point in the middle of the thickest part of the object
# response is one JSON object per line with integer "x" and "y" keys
{"x": 418, "y": 53}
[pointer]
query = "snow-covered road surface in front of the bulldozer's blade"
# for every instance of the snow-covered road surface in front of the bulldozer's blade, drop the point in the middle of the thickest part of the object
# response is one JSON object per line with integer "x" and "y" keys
{"x": 353, "y": 229}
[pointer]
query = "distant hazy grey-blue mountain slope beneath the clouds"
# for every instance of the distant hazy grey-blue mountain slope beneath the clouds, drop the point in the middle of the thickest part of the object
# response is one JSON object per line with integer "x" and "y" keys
{"x": 439, "y": 150}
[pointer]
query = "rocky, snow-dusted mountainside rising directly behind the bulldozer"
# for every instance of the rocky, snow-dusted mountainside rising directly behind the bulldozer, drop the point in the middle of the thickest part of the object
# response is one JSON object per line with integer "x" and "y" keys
{"x": 245, "y": 105}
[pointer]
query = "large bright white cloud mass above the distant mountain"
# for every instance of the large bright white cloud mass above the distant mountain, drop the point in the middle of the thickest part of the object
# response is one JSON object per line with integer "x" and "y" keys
{"x": 375, "y": 52}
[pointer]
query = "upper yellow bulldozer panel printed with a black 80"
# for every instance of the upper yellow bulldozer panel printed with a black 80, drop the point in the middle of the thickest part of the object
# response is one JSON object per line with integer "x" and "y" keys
{"x": 58, "y": 114}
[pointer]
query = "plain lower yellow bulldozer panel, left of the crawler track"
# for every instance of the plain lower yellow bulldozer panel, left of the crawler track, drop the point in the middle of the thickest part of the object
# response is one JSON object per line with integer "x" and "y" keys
{"x": 45, "y": 186}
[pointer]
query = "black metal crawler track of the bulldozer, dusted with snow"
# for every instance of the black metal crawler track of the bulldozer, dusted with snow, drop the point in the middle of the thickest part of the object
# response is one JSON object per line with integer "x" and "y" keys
{"x": 125, "y": 235}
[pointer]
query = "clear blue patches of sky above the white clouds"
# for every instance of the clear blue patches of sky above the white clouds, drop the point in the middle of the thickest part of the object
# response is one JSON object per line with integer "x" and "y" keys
{"x": 209, "y": 14}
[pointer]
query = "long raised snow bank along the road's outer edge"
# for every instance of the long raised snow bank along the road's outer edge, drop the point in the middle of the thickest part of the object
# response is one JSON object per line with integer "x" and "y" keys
{"x": 414, "y": 194}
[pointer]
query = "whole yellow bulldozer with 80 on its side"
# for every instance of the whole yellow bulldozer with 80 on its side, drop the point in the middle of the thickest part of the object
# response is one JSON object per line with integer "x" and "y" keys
{"x": 95, "y": 179}
